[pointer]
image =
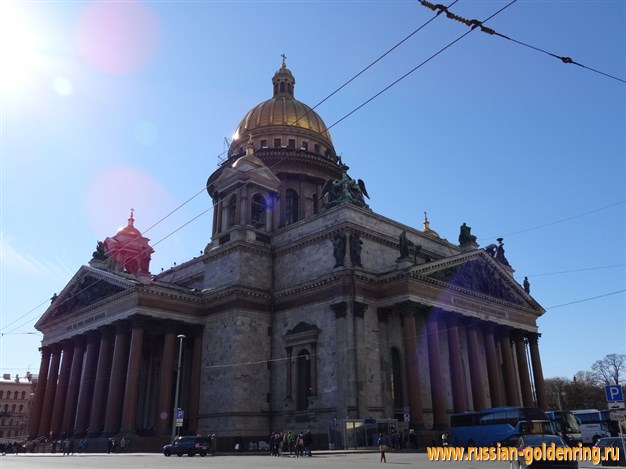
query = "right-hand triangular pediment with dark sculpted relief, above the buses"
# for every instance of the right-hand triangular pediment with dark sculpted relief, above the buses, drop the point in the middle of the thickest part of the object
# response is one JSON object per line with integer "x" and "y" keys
{"x": 476, "y": 272}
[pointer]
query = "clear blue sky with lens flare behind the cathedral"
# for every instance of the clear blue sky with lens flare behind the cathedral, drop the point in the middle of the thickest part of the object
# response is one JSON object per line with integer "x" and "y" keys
{"x": 113, "y": 105}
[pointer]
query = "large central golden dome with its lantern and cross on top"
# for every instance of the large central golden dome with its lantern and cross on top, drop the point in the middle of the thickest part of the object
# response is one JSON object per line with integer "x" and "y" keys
{"x": 283, "y": 122}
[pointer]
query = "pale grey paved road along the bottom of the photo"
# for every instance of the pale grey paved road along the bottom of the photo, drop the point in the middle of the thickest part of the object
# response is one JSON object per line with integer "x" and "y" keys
{"x": 321, "y": 461}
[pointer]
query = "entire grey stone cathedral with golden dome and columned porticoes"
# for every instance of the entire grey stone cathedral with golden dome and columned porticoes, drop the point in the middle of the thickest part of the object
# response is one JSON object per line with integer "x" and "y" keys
{"x": 306, "y": 310}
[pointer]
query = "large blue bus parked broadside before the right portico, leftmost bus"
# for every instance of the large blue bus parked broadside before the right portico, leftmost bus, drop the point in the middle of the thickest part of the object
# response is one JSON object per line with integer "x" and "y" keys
{"x": 499, "y": 424}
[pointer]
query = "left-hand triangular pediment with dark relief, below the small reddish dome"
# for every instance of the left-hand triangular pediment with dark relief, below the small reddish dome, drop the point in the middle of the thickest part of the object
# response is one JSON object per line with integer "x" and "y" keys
{"x": 88, "y": 287}
